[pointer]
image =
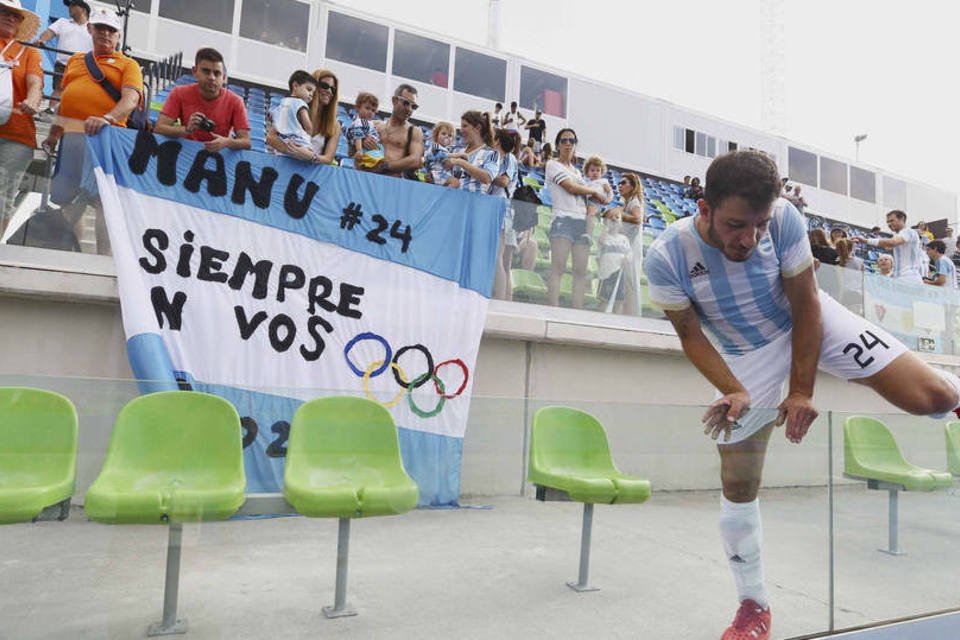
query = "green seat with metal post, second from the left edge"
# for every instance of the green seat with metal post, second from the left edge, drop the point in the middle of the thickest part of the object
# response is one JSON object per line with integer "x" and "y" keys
{"x": 173, "y": 457}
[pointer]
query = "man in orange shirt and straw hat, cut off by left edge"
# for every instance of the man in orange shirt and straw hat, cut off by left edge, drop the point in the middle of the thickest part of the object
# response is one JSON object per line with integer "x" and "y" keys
{"x": 18, "y": 134}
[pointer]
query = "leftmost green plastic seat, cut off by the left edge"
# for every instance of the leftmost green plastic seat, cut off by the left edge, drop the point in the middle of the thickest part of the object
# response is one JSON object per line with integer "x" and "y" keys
{"x": 38, "y": 454}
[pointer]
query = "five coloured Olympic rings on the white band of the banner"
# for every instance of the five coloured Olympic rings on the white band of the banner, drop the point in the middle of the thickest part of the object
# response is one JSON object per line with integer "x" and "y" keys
{"x": 390, "y": 361}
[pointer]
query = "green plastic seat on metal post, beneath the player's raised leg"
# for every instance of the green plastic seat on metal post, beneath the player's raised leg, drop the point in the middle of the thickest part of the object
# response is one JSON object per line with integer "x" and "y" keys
{"x": 870, "y": 453}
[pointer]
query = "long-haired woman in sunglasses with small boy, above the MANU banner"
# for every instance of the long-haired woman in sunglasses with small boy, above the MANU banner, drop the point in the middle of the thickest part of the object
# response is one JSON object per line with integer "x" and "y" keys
{"x": 326, "y": 127}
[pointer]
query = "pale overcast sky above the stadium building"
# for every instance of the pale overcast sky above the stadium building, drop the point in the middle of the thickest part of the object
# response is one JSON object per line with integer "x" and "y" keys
{"x": 849, "y": 66}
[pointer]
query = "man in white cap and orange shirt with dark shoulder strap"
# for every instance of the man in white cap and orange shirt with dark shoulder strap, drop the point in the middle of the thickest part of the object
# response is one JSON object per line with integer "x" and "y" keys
{"x": 85, "y": 108}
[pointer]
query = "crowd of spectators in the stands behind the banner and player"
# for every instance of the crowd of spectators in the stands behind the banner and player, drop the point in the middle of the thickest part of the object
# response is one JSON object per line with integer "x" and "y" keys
{"x": 584, "y": 248}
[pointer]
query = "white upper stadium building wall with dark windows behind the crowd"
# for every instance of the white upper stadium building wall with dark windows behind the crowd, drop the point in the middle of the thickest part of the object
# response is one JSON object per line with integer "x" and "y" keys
{"x": 645, "y": 143}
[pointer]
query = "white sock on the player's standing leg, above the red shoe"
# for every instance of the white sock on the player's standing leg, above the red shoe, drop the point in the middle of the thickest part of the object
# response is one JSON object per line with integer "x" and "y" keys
{"x": 742, "y": 533}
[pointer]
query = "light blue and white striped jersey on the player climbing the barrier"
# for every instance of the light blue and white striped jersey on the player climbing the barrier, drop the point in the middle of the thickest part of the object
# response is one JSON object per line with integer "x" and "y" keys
{"x": 741, "y": 304}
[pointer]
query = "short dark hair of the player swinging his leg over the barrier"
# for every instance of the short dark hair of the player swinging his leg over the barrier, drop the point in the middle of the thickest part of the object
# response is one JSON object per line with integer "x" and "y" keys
{"x": 752, "y": 175}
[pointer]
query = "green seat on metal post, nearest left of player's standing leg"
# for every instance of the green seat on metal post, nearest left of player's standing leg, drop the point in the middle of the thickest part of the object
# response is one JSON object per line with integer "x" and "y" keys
{"x": 570, "y": 460}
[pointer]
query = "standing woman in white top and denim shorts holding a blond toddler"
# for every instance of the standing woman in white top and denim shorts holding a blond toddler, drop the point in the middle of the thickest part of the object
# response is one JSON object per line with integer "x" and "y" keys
{"x": 568, "y": 231}
